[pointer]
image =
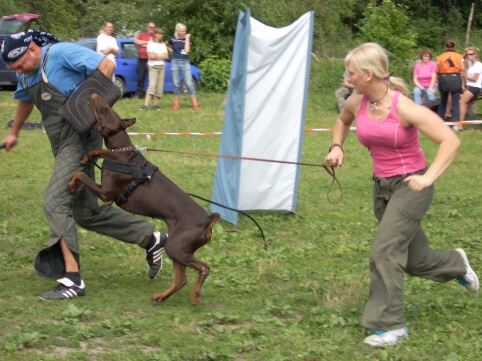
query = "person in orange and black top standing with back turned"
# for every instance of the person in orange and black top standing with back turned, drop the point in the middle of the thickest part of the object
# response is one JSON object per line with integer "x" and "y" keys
{"x": 451, "y": 72}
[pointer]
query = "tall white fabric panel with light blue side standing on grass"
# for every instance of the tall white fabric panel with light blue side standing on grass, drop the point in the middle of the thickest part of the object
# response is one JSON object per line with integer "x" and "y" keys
{"x": 264, "y": 117}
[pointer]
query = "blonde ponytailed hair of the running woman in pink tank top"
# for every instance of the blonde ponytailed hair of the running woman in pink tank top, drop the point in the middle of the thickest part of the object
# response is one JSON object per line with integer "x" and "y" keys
{"x": 372, "y": 57}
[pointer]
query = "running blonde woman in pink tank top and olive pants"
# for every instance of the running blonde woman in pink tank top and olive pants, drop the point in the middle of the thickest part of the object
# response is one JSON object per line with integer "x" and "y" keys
{"x": 388, "y": 124}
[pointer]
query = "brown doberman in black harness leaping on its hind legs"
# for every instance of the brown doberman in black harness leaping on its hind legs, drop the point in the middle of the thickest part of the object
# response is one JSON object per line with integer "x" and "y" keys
{"x": 137, "y": 186}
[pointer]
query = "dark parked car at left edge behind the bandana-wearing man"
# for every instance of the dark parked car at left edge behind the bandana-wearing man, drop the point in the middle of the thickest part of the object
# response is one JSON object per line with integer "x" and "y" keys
{"x": 11, "y": 24}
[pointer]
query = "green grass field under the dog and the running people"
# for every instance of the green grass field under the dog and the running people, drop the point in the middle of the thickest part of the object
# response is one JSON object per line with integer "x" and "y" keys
{"x": 300, "y": 300}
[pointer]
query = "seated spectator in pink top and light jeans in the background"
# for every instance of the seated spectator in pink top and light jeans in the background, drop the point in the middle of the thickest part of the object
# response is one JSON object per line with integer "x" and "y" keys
{"x": 425, "y": 78}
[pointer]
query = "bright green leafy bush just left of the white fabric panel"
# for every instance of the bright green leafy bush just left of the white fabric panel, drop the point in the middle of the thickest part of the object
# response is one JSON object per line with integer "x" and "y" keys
{"x": 215, "y": 74}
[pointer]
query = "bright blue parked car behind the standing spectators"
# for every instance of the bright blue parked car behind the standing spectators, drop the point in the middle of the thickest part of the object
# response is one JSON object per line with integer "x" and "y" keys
{"x": 126, "y": 71}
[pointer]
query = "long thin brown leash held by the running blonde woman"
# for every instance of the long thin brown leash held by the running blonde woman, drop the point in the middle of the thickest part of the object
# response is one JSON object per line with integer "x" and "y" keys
{"x": 329, "y": 167}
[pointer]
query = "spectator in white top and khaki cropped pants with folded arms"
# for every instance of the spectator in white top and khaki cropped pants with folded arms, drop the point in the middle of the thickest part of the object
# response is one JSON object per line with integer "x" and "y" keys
{"x": 157, "y": 53}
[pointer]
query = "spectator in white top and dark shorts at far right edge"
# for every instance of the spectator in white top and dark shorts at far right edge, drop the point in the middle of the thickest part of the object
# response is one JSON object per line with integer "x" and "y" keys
{"x": 474, "y": 81}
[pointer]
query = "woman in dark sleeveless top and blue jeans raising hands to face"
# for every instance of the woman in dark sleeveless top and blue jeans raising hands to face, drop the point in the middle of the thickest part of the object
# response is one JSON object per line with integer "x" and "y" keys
{"x": 181, "y": 46}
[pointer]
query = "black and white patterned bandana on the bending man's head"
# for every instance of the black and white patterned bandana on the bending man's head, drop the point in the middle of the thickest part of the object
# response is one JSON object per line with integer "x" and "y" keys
{"x": 16, "y": 45}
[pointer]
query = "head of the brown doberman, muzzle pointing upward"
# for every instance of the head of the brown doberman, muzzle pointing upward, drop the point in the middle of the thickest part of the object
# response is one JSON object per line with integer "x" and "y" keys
{"x": 109, "y": 122}
